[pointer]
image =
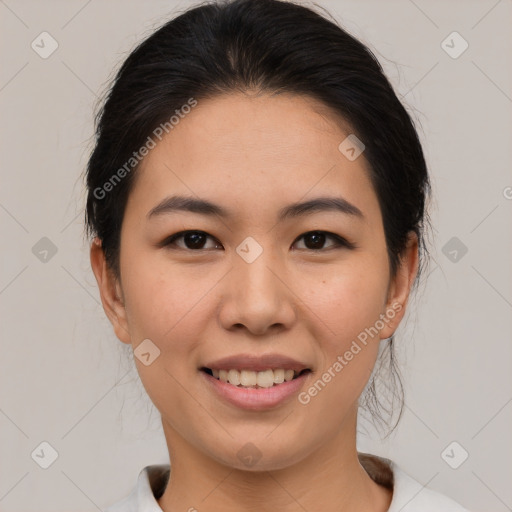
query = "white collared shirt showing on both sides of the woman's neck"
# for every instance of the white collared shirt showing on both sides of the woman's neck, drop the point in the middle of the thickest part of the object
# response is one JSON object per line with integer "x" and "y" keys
{"x": 408, "y": 494}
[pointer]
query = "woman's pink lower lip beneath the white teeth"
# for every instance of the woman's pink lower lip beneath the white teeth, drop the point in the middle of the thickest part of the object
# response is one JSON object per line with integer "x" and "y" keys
{"x": 256, "y": 399}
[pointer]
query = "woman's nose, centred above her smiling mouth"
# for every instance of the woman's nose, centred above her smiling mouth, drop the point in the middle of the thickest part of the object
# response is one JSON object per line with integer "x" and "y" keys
{"x": 257, "y": 297}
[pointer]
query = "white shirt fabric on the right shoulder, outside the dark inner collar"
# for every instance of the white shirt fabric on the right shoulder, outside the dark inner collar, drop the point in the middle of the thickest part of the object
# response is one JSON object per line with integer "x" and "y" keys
{"x": 411, "y": 496}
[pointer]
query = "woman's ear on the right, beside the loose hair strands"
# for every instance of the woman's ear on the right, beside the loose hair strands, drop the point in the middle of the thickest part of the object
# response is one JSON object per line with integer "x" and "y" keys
{"x": 400, "y": 286}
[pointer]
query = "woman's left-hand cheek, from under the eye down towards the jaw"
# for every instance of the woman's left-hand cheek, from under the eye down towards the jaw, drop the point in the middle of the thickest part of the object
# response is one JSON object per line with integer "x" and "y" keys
{"x": 170, "y": 306}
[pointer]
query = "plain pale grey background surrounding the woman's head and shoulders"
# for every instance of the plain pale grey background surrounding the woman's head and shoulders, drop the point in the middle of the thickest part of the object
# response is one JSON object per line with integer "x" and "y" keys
{"x": 65, "y": 378}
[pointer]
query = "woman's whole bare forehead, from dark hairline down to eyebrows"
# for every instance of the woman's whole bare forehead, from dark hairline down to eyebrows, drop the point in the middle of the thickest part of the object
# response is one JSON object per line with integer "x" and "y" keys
{"x": 260, "y": 150}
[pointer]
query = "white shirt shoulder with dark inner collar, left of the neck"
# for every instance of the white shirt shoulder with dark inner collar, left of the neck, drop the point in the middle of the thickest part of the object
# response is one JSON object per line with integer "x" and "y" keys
{"x": 151, "y": 483}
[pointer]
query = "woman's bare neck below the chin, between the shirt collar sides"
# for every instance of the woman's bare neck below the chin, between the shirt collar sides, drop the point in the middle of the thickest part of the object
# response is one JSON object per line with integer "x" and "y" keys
{"x": 331, "y": 478}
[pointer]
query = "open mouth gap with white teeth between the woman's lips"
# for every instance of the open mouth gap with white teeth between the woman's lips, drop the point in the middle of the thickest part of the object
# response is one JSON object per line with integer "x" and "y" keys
{"x": 269, "y": 378}
